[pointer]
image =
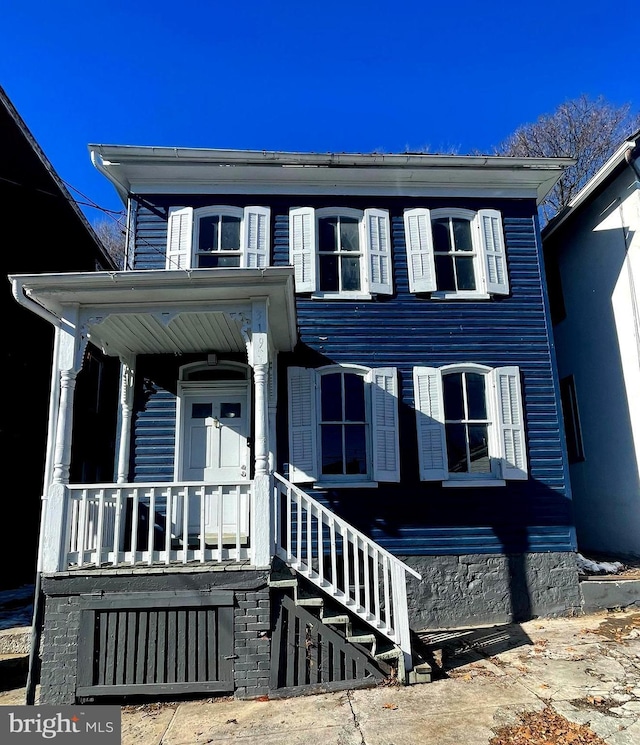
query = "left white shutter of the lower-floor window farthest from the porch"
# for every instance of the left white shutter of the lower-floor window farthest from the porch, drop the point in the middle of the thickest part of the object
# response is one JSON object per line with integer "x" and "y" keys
{"x": 429, "y": 405}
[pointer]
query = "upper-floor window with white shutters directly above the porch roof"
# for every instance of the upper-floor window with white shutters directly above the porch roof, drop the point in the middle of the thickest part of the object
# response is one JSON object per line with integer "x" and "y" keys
{"x": 218, "y": 236}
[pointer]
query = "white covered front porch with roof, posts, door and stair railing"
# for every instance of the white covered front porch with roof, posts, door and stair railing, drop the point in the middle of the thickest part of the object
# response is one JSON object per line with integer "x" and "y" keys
{"x": 194, "y": 483}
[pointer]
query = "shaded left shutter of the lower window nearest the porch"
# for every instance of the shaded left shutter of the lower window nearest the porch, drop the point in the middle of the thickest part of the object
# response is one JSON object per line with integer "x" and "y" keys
{"x": 303, "y": 459}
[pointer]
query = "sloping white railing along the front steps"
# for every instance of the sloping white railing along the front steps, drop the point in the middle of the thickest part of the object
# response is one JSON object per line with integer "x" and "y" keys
{"x": 345, "y": 563}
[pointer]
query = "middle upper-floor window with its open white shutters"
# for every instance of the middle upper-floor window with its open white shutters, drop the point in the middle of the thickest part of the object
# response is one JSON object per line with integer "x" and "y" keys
{"x": 341, "y": 252}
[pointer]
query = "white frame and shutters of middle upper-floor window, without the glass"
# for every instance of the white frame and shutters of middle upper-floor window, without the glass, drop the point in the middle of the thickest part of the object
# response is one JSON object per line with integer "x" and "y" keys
{"x": 307, "y": 280}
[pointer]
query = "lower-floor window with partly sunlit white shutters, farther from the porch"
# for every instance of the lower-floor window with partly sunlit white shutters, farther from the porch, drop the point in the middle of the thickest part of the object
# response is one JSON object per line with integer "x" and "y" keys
{"x": 470, "y": 424}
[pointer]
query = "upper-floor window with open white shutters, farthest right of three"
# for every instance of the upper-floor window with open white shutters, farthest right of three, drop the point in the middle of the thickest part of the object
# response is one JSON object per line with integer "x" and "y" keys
{"x": 456, "y": 253}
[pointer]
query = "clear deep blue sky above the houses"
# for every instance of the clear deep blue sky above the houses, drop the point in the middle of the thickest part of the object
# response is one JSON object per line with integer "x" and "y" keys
{"x": 340, "y": 76}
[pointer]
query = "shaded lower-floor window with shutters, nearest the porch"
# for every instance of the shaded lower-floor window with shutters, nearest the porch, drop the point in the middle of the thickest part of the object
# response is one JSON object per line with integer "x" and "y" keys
{"x": 343, "y": 425}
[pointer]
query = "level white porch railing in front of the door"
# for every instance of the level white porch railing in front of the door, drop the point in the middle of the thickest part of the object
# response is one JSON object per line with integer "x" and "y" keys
{"x": 159, "y": 523}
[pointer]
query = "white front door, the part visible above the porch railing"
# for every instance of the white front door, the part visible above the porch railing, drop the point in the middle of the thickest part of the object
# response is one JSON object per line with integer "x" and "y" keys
{"x": 215, "y": 436}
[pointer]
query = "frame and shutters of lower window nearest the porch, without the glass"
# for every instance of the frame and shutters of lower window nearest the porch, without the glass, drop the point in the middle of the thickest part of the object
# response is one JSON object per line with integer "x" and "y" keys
{"x": 312, "y": 472}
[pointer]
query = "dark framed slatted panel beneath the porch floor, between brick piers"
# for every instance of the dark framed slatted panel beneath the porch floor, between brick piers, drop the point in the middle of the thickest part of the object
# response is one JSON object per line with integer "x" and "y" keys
{"x": 156, "y": 644}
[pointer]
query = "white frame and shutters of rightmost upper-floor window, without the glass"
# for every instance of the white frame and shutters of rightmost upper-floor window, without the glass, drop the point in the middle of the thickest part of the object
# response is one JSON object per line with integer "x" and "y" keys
{"x": 427, "y": 284}
